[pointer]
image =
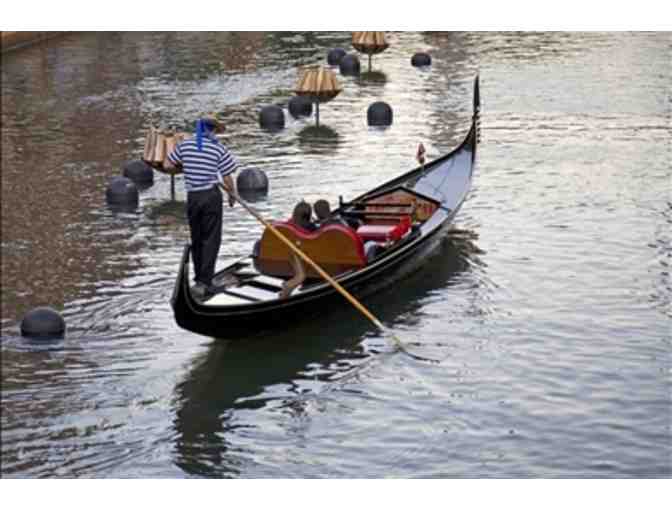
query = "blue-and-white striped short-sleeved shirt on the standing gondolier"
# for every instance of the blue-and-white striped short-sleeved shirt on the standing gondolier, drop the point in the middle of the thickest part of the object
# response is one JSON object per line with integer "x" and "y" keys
{"x": 201, "y": 167}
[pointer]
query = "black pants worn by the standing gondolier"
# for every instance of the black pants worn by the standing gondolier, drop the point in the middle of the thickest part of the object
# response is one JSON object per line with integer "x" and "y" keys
{"x": 204, "y": 209}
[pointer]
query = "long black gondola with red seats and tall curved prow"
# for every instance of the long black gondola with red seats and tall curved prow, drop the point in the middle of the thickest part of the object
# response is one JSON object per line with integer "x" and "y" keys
{"x": 372, "y": 241}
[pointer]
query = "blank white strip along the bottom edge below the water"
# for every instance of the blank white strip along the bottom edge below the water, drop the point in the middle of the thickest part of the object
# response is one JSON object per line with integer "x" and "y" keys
{"x": 337, "y": 494}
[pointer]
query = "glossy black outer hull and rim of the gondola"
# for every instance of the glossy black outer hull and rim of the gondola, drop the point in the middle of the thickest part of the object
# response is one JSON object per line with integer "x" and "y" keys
{"x": 396, "y": 257}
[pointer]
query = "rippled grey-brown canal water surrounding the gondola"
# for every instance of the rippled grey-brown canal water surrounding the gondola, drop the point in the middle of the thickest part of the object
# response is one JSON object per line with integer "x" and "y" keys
{"x": 548, "y": 304}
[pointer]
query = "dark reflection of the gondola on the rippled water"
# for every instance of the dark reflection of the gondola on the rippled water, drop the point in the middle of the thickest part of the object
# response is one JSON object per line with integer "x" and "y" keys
{"x": 282, "y": 369}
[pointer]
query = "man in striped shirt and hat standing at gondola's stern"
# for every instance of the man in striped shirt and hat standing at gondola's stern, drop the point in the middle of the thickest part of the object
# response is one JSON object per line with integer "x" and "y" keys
{"x": 203, "y": 158}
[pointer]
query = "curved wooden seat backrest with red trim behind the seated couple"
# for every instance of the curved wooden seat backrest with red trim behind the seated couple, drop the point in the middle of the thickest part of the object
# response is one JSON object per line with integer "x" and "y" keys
{"x": 335, "y": 248}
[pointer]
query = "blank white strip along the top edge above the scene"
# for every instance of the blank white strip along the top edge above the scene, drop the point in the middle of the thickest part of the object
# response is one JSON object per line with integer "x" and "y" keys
{"x": 346, "y": 15}
